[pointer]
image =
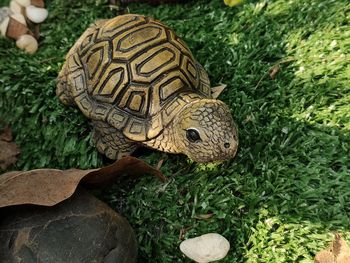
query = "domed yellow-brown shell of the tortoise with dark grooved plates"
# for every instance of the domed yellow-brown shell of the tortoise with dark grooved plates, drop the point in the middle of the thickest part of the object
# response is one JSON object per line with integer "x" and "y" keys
{"x": 130, "y": 71}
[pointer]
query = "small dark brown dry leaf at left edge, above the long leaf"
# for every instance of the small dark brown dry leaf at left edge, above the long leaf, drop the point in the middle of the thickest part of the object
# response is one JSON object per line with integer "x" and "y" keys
{"x": 8, "y": 149}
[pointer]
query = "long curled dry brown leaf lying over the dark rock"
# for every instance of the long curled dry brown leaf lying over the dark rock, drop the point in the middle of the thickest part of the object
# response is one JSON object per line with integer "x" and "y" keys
{"x": 50, "y": 186}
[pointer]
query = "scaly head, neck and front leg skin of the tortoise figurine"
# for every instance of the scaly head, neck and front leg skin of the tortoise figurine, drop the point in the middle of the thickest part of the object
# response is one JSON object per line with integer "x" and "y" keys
{"x": 210, "y": 117}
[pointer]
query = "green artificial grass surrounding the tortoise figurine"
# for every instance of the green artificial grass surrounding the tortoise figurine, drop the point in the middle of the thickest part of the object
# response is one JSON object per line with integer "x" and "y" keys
{"x": 288, "y": 188}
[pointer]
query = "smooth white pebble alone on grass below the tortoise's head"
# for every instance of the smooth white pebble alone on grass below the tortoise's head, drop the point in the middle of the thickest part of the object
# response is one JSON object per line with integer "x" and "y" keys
{"x": 206, "y": 248}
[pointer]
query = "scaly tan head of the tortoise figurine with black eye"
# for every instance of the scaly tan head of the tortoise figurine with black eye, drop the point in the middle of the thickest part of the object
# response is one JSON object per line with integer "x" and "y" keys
{"x": 205, "y": 131}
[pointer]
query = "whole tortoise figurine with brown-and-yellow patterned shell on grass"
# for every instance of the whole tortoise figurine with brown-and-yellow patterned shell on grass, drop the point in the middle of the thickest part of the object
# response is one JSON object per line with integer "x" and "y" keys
{"x": 141, "y": 86}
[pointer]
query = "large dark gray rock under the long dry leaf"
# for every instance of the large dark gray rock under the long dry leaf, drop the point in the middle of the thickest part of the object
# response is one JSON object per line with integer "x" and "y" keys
{"x": 79, "y": 229}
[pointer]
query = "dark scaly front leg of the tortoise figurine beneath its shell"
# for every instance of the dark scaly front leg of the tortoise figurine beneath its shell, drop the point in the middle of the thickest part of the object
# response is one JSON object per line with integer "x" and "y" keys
{"x": 111, "y": 142}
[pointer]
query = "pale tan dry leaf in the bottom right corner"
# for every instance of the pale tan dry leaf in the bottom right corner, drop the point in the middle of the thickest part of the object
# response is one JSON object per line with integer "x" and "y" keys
{"x": 337, "y": 252}
